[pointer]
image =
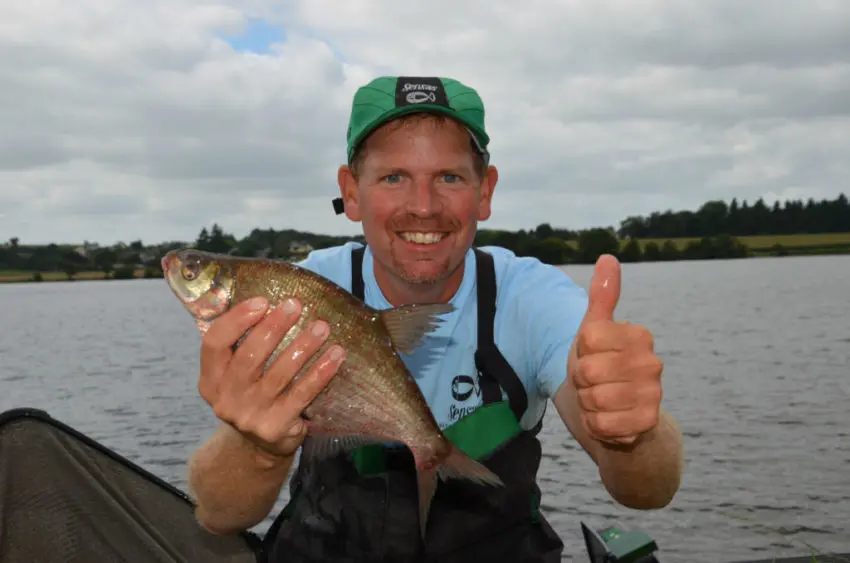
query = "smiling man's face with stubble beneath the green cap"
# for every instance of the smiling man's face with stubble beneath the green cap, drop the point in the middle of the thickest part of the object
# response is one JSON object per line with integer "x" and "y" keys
{"x": 419, "y": 197}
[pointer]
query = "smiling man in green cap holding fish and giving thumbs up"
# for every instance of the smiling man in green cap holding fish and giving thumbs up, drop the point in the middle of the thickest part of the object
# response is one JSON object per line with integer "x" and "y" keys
{"x": 418, "y": 178}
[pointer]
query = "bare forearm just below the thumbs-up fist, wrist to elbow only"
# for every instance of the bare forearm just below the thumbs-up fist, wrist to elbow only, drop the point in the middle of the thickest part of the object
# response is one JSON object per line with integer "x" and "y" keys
{"x": 648, "y": 473}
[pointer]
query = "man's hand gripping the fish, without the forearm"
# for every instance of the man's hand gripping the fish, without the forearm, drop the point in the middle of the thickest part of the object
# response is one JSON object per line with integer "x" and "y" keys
{"x": 253, "y": 401}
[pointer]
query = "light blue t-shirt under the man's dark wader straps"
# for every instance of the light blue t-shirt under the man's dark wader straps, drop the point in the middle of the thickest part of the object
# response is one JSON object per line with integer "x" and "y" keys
{"x": 538, "y": 311}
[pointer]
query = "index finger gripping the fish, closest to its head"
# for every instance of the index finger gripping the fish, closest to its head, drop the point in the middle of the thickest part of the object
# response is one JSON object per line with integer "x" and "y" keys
{"x": 216, "y": 346}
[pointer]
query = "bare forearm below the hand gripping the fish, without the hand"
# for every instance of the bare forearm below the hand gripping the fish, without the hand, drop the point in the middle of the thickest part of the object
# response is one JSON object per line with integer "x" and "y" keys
{"x": 234, "y": 485}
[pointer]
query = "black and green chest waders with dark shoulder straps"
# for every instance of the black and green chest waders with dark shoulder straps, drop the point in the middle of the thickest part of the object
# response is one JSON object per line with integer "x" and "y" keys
{"x": 363, "y": 506}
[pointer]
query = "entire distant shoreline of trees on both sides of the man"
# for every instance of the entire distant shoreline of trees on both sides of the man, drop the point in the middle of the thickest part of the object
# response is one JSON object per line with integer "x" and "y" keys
{"x": 716, "y": 230}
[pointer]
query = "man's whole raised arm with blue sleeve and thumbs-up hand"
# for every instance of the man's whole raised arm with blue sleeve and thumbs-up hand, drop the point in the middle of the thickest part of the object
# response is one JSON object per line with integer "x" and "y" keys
{"x": 623, "y": 393}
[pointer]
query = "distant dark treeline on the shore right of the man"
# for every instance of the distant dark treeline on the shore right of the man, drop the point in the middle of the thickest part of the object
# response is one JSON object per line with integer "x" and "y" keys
{"x": 714, "y": 231}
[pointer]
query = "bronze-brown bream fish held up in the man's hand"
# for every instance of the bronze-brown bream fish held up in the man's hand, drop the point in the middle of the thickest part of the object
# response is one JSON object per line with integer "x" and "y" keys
{"x": 373, "y": 398}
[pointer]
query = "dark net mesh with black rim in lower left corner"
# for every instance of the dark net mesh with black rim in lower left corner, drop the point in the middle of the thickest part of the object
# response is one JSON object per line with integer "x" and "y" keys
{"x": 66, "y": 499}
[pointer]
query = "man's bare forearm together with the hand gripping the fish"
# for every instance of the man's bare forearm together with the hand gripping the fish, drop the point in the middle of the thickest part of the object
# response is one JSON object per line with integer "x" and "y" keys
{"x": 237, "y": 474}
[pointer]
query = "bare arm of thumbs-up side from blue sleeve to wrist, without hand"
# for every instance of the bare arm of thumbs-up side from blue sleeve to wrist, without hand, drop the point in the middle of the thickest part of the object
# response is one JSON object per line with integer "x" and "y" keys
{"x": 643, "y": 475}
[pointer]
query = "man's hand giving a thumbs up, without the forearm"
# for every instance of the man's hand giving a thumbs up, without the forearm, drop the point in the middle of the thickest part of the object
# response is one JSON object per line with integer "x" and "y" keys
{"x": 613, "y": 366}
